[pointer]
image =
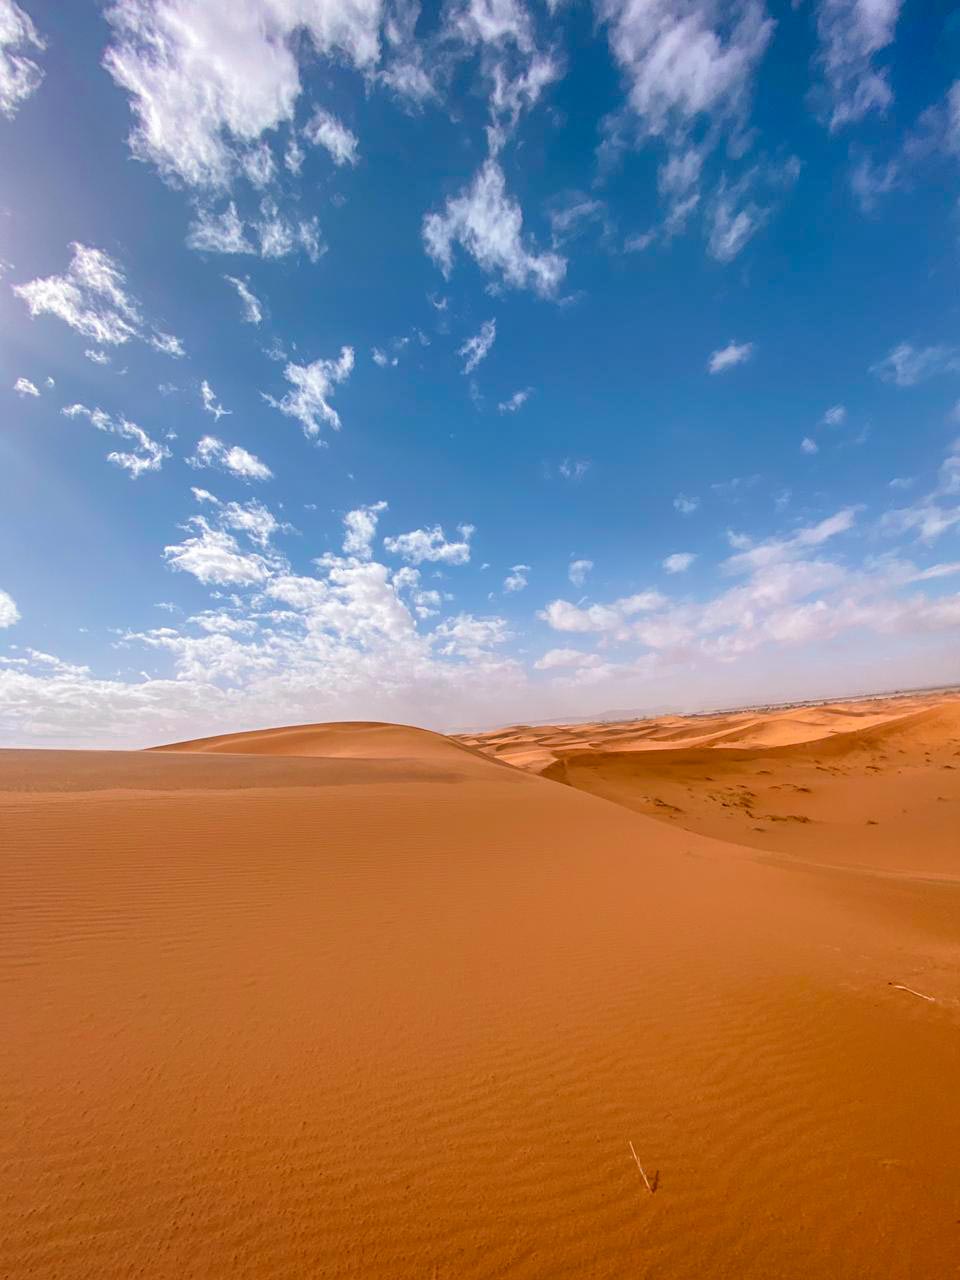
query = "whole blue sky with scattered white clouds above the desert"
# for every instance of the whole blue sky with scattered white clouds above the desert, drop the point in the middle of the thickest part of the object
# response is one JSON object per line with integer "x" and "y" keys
{"x": 473, "y": 363}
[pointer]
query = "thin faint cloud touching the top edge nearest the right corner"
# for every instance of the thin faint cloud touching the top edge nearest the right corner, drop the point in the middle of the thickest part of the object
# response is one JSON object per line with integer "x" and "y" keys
{"x": 852, "y": 34}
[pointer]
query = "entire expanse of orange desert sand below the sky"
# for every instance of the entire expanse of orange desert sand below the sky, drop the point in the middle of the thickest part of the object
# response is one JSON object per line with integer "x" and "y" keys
{"x": 360, "y": 1000}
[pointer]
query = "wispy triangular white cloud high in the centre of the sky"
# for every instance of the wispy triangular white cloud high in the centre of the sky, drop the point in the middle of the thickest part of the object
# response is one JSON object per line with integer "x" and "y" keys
{"x": 490, "y": 226}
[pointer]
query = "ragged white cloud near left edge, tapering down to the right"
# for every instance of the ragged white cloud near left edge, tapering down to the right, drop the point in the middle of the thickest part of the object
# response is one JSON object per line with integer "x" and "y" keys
{"x": 92, "y": 298}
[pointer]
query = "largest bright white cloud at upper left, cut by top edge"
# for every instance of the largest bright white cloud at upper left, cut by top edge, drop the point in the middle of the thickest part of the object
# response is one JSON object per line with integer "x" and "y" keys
{"x": 207, "y": 83}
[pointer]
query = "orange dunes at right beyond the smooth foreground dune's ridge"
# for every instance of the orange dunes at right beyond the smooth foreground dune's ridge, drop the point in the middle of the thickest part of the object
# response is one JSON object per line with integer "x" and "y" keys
{"x": 868, "y": 784}
